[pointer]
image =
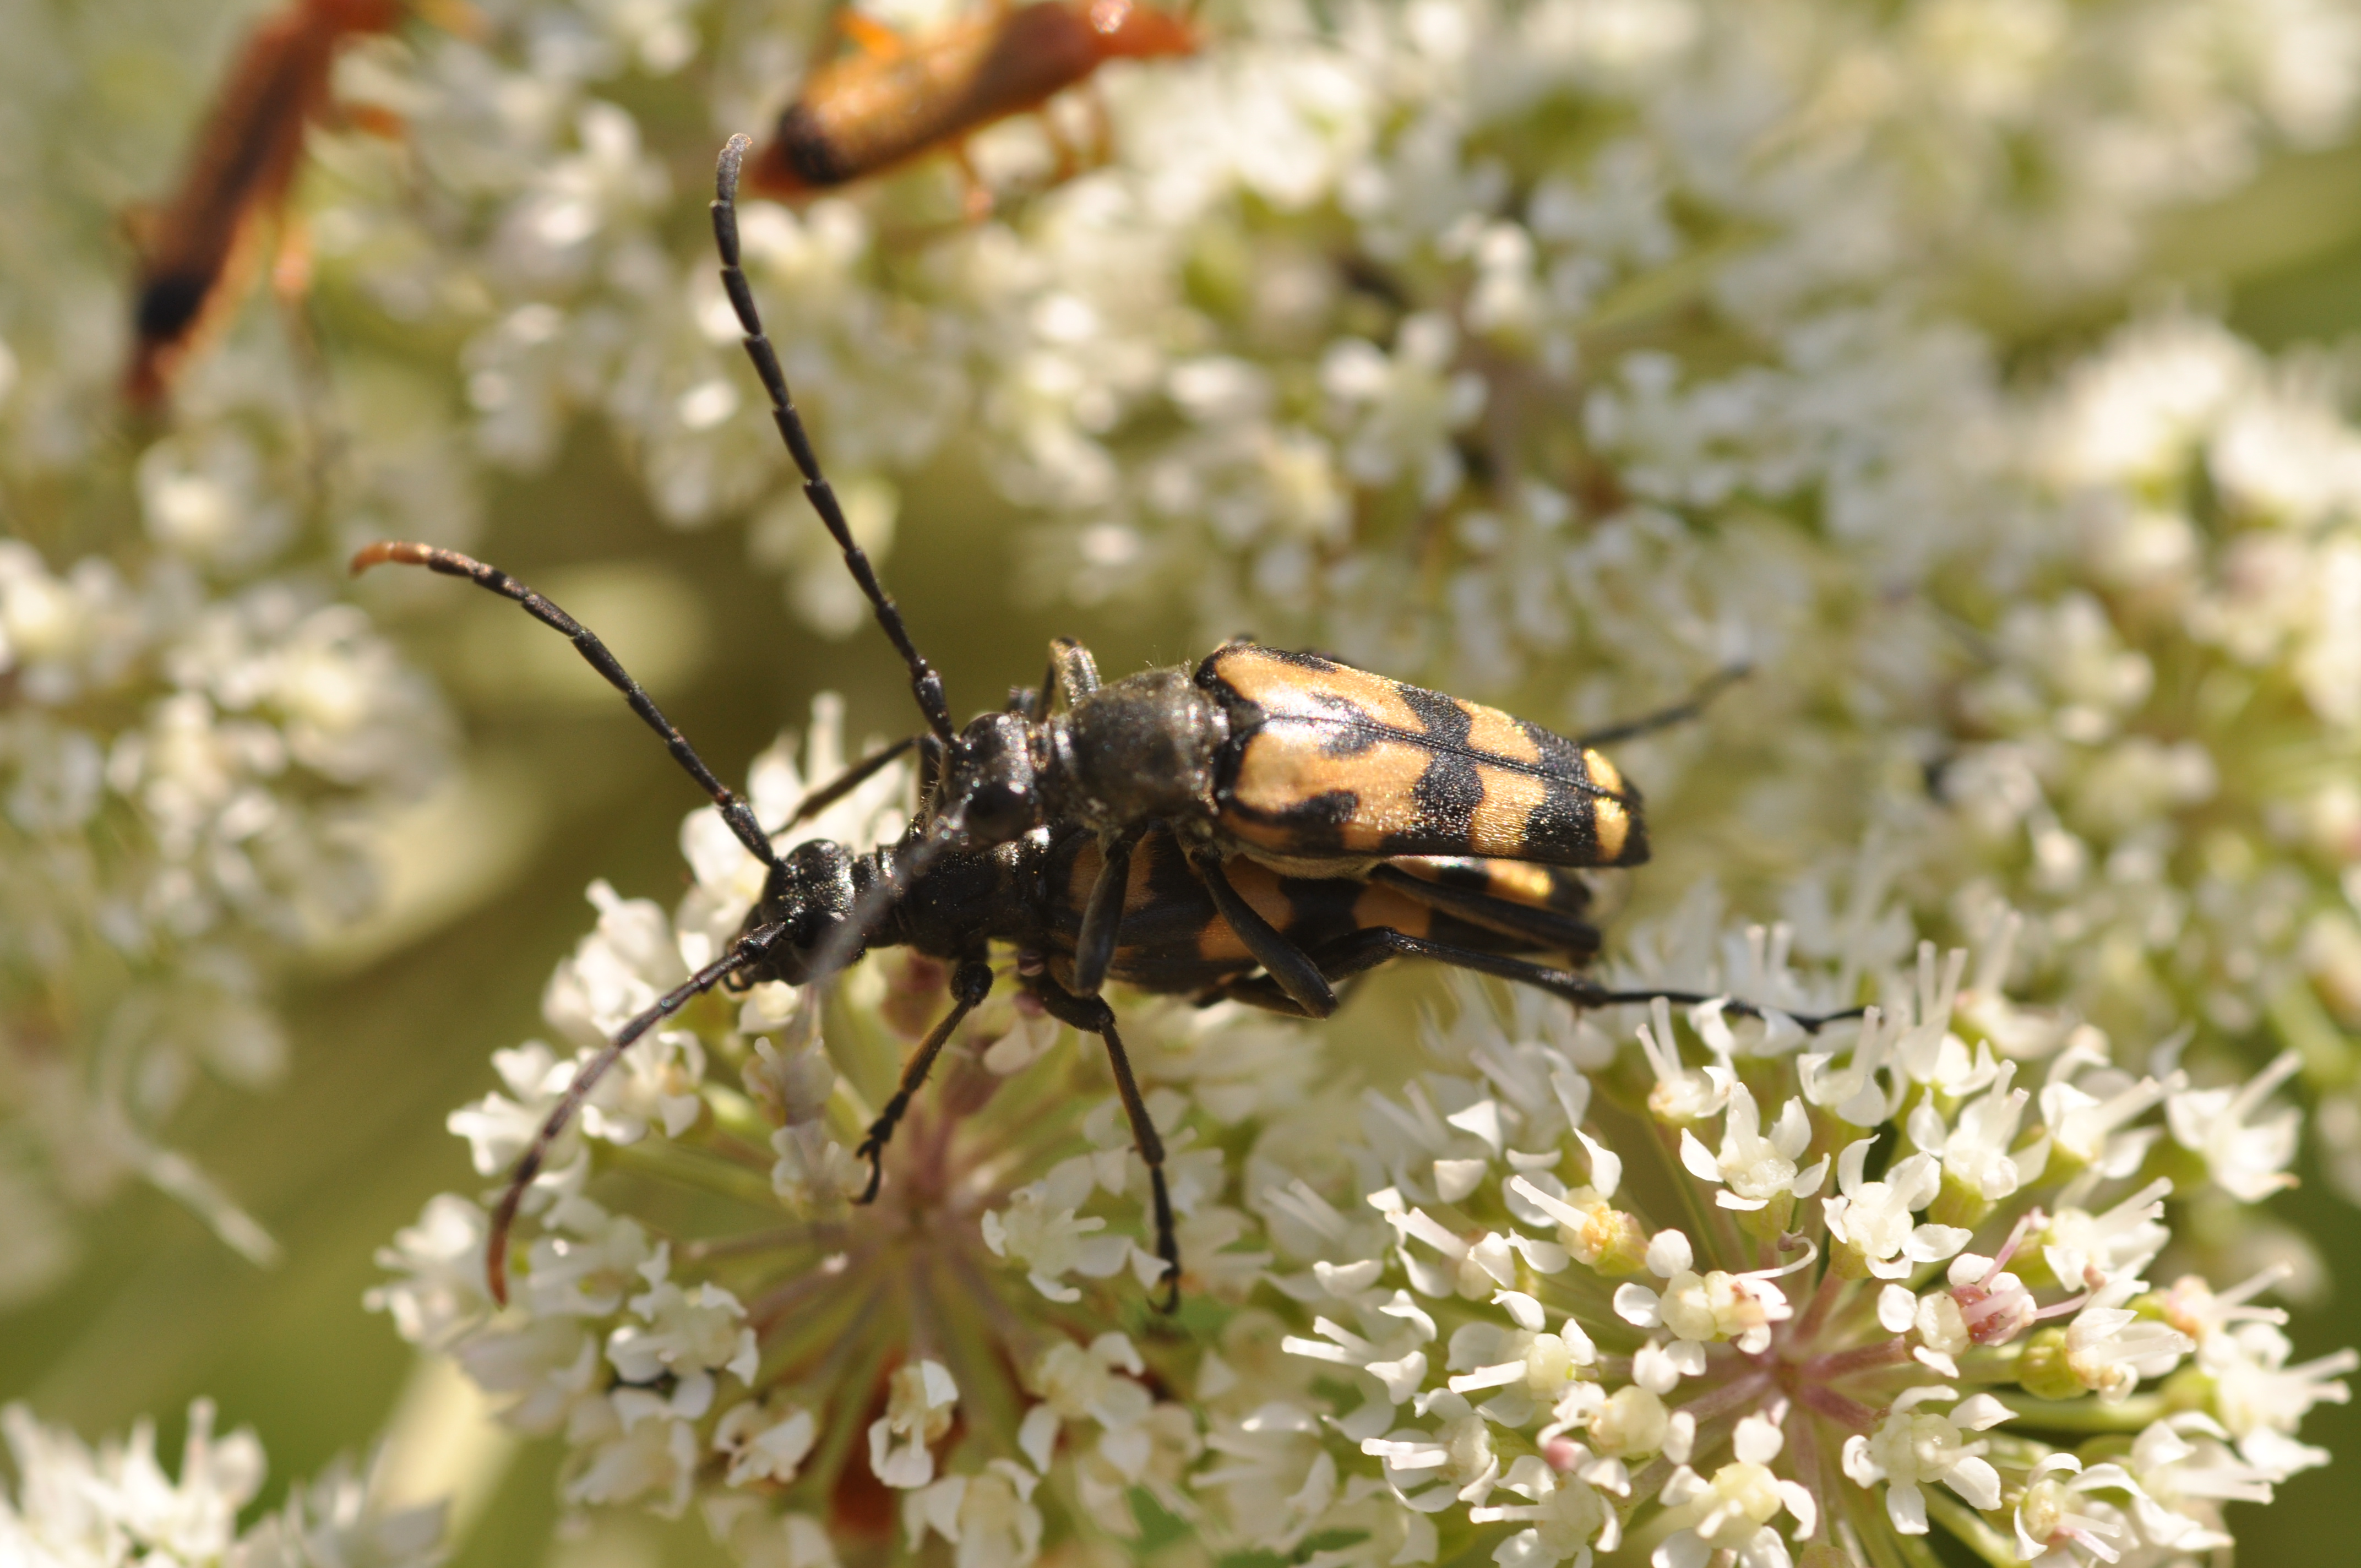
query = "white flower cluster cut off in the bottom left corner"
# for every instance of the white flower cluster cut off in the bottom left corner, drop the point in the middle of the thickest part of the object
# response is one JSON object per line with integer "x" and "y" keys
{"x": 117, "y": 1508}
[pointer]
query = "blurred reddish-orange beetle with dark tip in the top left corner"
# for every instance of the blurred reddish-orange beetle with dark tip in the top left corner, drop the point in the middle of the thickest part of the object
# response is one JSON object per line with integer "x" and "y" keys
{"x": 197, "y": 247}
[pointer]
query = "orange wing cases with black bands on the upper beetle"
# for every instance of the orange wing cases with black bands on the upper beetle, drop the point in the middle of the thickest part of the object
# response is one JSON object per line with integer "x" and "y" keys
{"x": 1335, "y": 762}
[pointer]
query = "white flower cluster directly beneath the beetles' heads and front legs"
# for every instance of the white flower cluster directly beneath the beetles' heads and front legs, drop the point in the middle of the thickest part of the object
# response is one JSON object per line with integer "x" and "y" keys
{"x": 709, "y": 1357}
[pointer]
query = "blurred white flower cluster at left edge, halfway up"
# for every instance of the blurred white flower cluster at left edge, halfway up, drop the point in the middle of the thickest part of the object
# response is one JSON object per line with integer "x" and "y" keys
{"x": 185, "y": 769}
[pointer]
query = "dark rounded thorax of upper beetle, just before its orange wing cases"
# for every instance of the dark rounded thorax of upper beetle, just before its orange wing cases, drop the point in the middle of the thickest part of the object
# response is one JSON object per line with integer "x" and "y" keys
{"x": 1139, "y": 750}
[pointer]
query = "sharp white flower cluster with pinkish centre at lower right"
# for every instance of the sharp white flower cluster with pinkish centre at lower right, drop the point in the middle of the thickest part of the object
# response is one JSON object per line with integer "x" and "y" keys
{"x": 1607, "y": 1305}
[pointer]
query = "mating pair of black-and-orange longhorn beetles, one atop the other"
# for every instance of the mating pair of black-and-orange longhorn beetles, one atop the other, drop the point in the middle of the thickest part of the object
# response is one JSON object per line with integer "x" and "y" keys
{"x": 1255, "y": 830}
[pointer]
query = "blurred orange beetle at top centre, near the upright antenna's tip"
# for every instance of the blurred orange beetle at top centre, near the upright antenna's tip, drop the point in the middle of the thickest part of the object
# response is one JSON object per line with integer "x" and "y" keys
{"x": 901, "y": 98}
